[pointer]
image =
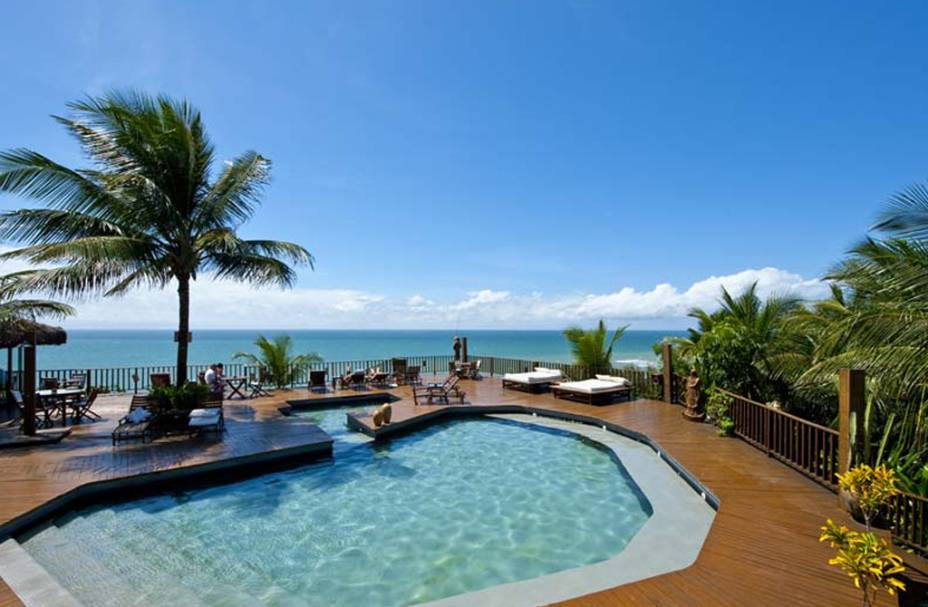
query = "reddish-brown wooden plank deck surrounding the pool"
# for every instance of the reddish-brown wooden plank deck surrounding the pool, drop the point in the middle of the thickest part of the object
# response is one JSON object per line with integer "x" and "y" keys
{"x": 762, "y": 549}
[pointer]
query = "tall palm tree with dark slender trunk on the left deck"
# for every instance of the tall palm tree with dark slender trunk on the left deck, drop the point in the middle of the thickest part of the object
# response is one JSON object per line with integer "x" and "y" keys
{"x": 148, "y": 212}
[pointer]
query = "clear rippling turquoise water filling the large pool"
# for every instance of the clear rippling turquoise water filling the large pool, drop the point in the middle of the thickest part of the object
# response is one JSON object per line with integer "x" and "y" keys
{"x": 454, "y": 508}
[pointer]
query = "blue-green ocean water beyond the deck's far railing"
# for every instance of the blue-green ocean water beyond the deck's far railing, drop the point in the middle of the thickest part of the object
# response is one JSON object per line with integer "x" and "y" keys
{"x": 114, "y": 348}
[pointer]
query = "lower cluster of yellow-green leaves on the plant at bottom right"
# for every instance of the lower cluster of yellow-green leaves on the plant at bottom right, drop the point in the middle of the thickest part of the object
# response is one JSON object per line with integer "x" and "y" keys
{"x": 866, "y": 559}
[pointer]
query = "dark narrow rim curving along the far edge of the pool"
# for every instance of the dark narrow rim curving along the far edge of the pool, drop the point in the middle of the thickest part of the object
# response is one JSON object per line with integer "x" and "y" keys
{"x": 398, "y": 428}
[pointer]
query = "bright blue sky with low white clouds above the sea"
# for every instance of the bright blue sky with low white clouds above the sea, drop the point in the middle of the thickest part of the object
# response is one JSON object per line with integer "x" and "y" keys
{"x": 511, "y": 164}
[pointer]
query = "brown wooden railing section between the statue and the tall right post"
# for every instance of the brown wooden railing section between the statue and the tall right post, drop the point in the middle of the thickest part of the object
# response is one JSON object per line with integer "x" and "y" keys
{"x": 808, "y": 447}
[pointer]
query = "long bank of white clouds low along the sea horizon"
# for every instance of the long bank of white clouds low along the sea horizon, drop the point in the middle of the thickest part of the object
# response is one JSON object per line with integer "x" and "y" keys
{"x": 222, "y": 304}
